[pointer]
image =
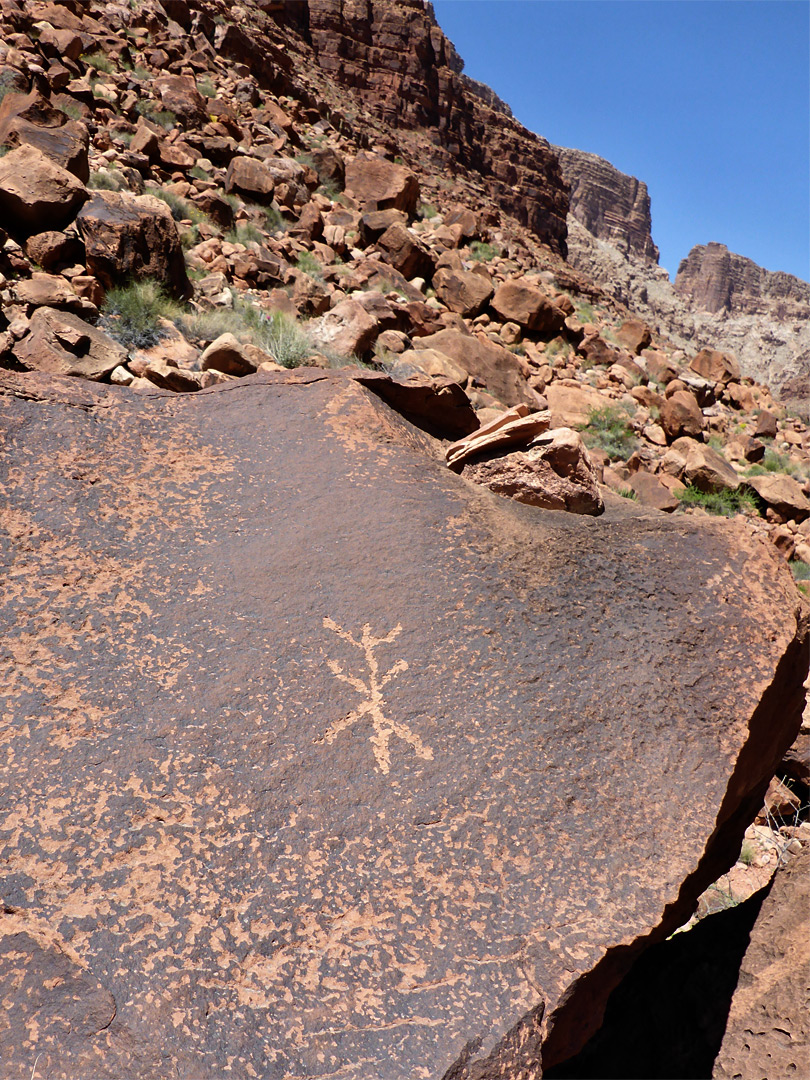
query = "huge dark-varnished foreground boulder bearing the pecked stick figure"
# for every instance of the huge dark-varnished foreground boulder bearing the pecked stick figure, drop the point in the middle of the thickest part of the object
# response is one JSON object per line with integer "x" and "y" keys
{"x": 321, "y": 762}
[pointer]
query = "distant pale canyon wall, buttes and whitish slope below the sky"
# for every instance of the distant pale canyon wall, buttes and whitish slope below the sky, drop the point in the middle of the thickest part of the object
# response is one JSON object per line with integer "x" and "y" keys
{"x": 719, "y": 300}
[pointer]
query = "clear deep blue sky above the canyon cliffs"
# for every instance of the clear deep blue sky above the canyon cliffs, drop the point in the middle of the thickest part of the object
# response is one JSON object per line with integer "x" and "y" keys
{"x": 707, "y": 101}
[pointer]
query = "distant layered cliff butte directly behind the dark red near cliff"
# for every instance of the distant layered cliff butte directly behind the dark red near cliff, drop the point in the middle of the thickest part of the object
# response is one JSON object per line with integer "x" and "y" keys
{"x": 611, "y": 205}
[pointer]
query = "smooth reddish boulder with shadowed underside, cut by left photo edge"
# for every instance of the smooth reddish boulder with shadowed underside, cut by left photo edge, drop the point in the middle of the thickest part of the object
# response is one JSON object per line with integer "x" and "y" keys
{"x": 36, "y": 194}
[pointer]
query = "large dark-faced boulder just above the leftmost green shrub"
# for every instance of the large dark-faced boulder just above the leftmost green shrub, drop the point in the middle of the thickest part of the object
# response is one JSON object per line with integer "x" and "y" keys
{"x": 129, "y": 236}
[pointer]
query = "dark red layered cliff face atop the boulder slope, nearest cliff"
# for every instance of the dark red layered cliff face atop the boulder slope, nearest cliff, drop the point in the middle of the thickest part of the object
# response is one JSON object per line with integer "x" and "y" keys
{"x": 397, "y": 60}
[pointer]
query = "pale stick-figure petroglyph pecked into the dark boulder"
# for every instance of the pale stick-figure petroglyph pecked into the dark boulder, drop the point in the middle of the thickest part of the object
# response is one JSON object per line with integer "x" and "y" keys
{"x": 372, "y": 708}
